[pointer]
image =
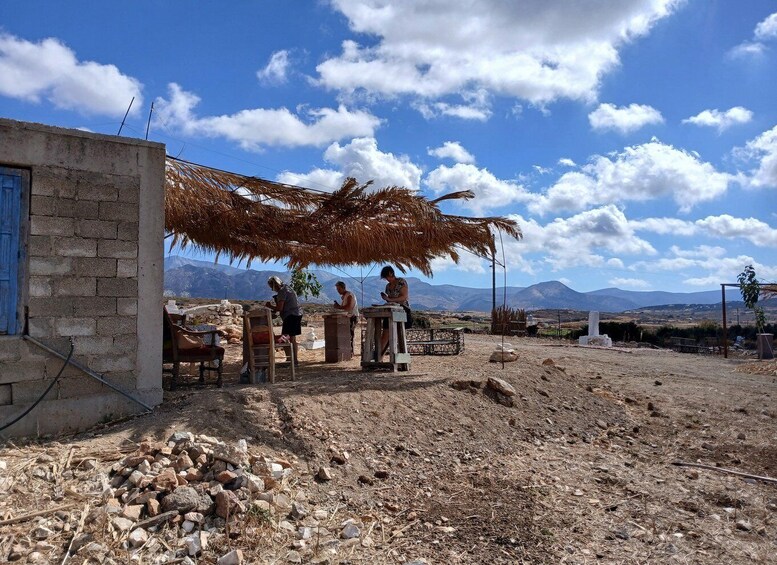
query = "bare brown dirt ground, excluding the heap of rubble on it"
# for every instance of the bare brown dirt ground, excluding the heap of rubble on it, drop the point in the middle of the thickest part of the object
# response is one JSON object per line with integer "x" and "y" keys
{"x": 579, "y": 470}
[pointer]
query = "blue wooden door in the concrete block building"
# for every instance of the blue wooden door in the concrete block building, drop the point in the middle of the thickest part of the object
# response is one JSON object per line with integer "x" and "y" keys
{"x": 10, "y": 210}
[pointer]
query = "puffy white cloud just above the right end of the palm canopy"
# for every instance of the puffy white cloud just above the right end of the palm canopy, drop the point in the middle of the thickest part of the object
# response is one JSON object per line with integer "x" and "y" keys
{"x": 490, "y": 192}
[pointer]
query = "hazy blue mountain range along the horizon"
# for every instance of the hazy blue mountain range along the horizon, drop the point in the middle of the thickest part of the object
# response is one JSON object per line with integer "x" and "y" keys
{"x": 209, "y": 280}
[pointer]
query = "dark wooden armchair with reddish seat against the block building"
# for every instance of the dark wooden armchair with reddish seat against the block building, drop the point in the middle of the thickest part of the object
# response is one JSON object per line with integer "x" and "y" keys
{"x": 175, "y": 333}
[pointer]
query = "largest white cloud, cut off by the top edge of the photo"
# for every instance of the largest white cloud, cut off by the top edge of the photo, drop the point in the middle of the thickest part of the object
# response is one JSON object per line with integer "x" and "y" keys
{"x": 535, "y": 50}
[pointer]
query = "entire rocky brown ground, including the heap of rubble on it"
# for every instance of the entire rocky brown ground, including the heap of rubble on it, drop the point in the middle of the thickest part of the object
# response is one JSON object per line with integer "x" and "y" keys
{"x": 430, "y": 466}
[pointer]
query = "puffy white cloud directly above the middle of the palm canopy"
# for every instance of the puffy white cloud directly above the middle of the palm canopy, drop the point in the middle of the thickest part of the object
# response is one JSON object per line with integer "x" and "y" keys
{"x": 362, "y": 160}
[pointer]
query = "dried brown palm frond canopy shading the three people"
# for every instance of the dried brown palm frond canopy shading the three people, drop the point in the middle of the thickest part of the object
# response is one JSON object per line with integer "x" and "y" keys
{"x": 251, "y": 218}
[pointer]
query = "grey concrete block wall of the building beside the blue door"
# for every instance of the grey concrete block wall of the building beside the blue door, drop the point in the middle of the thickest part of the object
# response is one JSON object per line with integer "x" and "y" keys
{"x": 91, "y": 270}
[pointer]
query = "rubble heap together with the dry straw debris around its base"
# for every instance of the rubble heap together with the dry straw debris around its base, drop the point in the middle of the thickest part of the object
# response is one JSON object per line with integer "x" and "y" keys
{"x": 191, "y": 498}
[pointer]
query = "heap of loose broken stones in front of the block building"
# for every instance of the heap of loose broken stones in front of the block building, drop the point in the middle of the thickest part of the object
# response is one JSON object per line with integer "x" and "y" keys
{"x": 195, "y": 489}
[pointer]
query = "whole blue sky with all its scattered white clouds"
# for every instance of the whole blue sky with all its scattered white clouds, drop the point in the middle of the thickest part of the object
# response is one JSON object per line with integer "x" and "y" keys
{"x": 634, "y": 142}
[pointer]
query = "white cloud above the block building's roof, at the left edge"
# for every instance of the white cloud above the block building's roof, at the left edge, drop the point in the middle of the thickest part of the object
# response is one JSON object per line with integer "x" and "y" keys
{"x": 50, "y": 70}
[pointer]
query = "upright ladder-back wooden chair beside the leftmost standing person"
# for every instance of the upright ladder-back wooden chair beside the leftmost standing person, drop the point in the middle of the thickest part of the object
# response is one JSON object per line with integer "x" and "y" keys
{"x": 260, "y": 345}
